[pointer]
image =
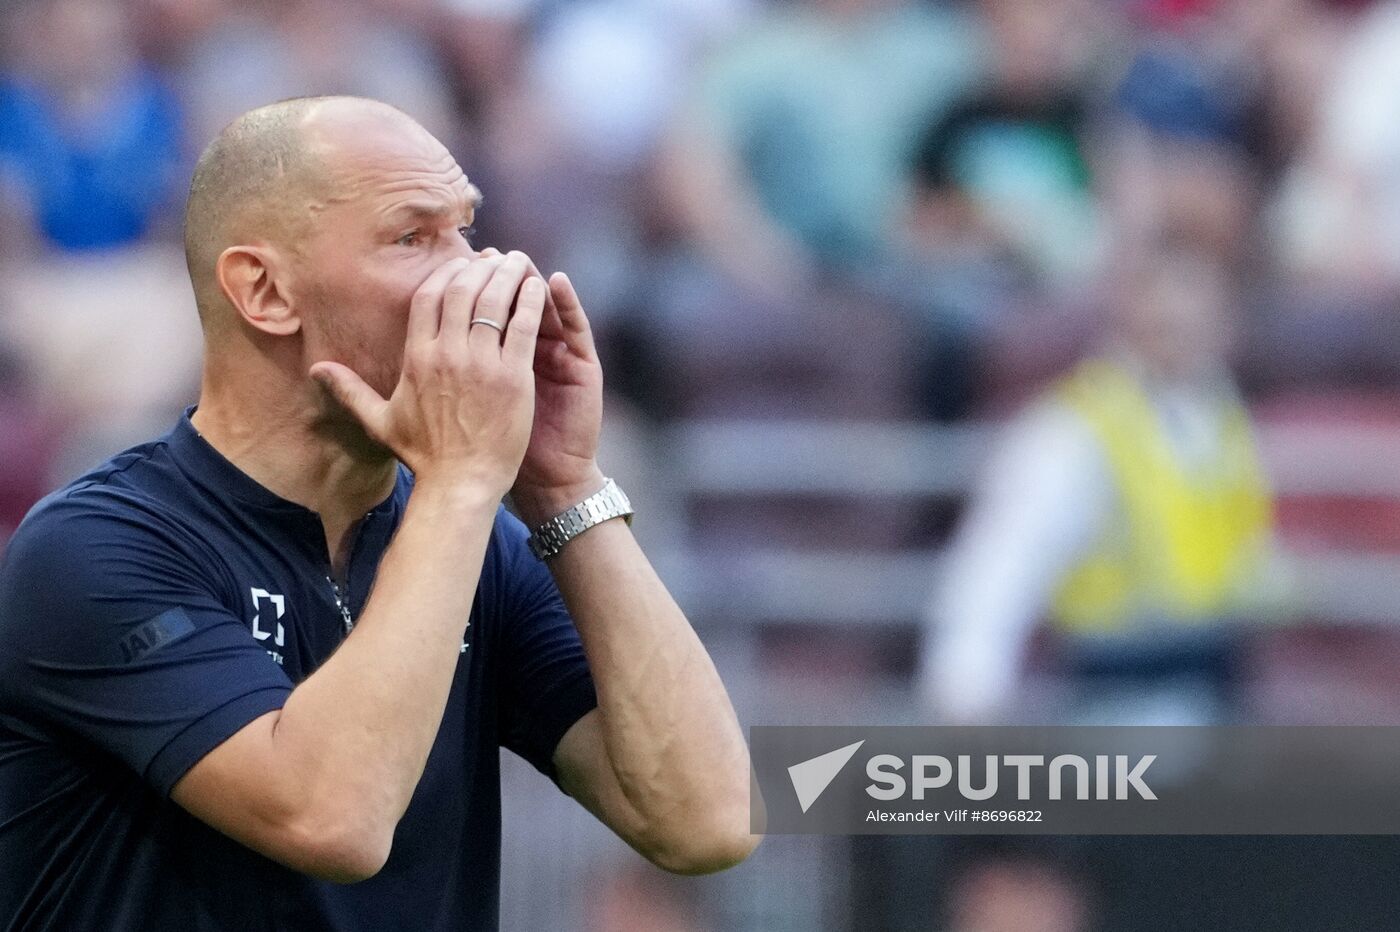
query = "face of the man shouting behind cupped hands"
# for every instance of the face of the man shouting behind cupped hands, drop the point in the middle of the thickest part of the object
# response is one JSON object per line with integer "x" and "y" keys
{"x": 398, "y": 208}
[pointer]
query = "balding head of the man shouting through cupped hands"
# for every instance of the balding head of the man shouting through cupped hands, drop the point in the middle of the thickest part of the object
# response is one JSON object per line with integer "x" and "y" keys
{"x": 311, "y": 226}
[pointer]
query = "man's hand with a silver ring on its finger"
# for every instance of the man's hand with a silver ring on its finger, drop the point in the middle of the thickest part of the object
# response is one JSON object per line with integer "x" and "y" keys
{"x": 465, "y": 400}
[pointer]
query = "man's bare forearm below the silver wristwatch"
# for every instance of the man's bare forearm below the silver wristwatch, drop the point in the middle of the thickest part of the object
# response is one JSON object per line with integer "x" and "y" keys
{"x": 670, "y": 731}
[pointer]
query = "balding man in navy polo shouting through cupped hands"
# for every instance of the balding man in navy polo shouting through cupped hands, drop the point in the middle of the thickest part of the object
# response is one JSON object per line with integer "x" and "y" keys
{"x": 255, "y": 674}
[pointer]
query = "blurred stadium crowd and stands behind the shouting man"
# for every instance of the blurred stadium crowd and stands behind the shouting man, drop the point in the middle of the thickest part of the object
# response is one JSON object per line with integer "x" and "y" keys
{"x": 926, "y": 323}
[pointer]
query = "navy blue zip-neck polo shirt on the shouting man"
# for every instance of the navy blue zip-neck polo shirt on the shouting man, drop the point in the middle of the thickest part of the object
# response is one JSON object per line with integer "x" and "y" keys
{"x": 164, "y": 601}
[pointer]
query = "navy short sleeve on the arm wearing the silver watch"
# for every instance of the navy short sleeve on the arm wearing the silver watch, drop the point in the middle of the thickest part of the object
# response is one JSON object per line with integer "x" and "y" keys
{"x": 544, "y": 675}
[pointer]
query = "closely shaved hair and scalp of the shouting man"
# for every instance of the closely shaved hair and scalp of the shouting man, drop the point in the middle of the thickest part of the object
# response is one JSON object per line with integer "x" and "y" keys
{"x": 262, "y": 180}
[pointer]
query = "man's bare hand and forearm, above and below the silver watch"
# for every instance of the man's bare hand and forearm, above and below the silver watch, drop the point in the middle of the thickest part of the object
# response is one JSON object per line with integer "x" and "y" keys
{"x": 663, "y": 759}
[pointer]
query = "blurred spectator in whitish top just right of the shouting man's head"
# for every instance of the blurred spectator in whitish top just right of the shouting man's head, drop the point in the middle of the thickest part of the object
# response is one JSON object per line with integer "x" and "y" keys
{"x": 603, "y": 80}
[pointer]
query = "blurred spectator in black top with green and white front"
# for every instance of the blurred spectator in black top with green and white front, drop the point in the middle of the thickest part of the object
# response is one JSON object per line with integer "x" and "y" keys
{"x": 1002, "y": 219}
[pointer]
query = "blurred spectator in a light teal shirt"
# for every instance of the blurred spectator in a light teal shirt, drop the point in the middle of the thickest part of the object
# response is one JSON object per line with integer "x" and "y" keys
{"x": 793, "y": 155}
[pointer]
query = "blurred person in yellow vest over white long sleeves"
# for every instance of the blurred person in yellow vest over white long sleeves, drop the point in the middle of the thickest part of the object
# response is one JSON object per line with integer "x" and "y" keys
{"x": 1129, "y": 507}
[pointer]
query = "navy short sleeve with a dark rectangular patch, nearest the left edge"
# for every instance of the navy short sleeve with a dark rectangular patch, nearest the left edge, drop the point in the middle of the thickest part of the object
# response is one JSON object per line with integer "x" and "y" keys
{"x": 111, "y": 633}
